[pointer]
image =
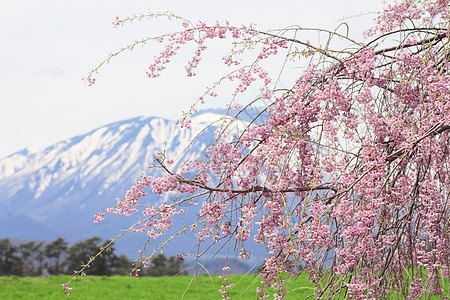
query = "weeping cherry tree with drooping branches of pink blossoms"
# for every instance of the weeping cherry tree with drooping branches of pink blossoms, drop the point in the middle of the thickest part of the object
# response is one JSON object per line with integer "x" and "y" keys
{"x": 347, "y": 173}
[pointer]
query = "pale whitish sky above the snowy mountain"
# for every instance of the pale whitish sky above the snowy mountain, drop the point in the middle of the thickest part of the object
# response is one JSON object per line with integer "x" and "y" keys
{"x": 48, "y": 46}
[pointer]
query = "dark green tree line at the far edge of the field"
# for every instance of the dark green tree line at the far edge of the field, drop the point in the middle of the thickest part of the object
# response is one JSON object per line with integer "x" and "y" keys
{"x": 57, "y": 258}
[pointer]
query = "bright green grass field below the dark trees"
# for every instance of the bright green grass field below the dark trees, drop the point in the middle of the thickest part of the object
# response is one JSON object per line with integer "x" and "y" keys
{"x": 126, "y": 287}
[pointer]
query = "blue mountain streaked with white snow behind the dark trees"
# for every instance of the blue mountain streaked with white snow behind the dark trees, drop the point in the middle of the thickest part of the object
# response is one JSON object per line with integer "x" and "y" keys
{"x": 58, "y": 189}
